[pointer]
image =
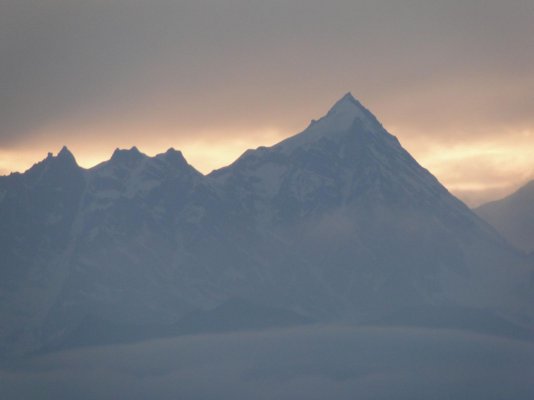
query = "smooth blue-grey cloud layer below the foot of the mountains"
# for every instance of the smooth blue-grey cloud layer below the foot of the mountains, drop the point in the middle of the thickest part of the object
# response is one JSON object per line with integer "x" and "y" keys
{"x": 304, "y": 363}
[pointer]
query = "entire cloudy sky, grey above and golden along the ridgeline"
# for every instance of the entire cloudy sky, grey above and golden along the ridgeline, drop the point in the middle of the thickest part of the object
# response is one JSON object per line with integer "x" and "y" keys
{"x": 452, "y": 79}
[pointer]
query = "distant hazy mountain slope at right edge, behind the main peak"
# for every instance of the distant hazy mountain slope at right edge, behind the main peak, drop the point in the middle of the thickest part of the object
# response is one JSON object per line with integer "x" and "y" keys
{"x": 513, "y": 217}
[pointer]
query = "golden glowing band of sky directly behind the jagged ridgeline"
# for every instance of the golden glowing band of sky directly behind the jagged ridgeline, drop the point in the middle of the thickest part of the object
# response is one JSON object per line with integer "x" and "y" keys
{"x": 476, "y": 171}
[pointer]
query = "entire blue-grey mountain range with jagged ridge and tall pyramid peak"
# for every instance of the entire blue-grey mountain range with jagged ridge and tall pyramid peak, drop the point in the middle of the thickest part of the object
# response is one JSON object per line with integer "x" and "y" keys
{"x": 337, "y": 222}
